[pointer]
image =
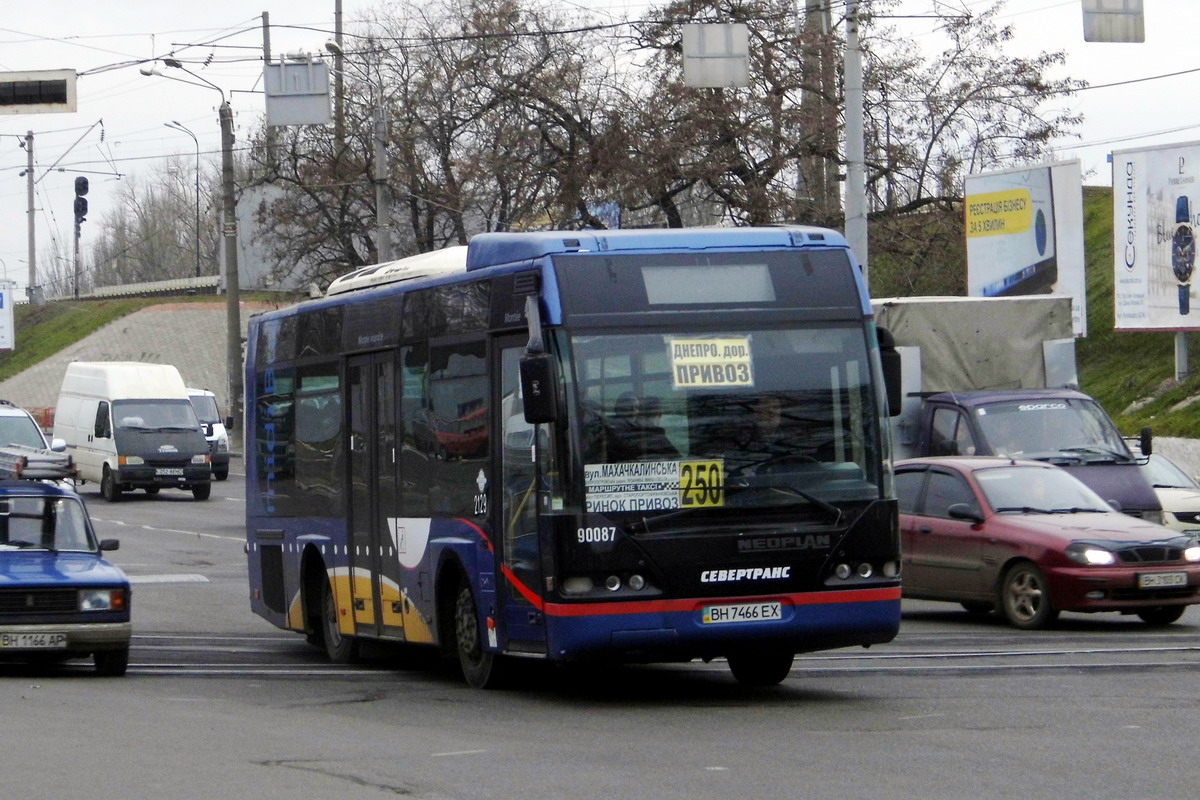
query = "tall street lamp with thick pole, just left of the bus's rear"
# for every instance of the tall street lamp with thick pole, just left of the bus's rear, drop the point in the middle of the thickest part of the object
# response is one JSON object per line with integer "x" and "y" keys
{"x": 229, "y": 230}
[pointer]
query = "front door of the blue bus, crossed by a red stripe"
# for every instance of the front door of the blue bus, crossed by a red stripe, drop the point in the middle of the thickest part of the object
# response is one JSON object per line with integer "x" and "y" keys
{"x": 524, "y": 588}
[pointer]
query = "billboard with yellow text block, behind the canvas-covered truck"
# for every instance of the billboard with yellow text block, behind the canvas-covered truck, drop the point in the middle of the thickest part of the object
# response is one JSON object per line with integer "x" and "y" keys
{"x": 1025, "y": 234}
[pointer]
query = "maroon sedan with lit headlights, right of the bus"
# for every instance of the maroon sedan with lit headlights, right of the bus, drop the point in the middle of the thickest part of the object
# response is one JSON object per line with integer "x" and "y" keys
{"x": 1031, "y": 540}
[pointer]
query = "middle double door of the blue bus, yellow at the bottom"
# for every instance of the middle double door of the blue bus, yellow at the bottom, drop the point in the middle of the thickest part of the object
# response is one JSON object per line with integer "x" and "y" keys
{"x": 373, "y": 474}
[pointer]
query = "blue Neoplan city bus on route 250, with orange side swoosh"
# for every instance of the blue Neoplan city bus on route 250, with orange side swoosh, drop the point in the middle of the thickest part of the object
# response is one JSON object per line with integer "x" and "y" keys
{"x": 579, "y": 447}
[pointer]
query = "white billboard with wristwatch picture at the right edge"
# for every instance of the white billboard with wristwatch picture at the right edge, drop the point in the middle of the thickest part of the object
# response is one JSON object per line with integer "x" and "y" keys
{"x": 1156, "y": 208}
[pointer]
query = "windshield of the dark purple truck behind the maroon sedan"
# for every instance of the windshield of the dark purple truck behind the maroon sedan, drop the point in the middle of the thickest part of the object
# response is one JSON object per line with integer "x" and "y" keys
{"x": 1025, "y": 428}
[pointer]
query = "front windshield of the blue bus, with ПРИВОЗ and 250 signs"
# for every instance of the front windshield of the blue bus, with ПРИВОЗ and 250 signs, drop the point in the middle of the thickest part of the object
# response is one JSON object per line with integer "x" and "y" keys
{"x": 728, "y": 420}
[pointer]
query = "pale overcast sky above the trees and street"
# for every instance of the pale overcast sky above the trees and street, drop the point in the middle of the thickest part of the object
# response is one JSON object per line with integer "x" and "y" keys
{"x": 118, "y": 133}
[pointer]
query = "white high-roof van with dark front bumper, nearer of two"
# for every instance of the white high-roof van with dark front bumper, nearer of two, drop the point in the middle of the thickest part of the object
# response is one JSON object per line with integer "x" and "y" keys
{"x": 130, "y": 426}
